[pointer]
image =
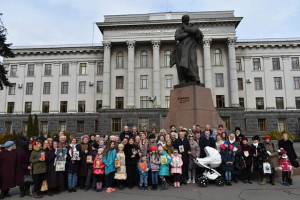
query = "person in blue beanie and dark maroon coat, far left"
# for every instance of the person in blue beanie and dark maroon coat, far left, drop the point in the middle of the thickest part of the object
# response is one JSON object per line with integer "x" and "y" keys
{"x": 8, "y": 164}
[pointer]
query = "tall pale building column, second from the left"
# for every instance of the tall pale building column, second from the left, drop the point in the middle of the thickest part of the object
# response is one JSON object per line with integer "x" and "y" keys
{"x": 130, "y": 75}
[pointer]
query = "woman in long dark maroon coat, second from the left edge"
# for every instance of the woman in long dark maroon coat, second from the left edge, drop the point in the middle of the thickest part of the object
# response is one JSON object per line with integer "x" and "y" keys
{"x": 23, "y": 151}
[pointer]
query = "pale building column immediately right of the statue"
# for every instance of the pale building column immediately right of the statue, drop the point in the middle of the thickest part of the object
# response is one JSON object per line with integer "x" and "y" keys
{"x": 207, "y": 63}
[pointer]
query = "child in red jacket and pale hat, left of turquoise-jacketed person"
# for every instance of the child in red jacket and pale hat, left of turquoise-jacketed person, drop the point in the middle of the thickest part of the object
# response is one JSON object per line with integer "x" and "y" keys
{"x": 98, "y": 169}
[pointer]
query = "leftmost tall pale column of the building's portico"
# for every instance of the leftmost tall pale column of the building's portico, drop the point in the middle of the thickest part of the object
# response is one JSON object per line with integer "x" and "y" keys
{"x": 106, "y": 75}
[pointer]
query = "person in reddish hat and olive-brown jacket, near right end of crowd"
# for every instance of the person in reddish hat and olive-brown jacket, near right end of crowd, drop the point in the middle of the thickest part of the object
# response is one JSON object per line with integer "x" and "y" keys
{"x": 272, "y": 152}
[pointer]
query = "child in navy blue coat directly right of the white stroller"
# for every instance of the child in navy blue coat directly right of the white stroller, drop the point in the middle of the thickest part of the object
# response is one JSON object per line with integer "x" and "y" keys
{"x": 228, "y": 158}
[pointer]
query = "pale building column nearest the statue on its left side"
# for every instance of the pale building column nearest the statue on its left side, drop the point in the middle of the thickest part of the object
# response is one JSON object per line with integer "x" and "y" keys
{"x": 156, "y": 72}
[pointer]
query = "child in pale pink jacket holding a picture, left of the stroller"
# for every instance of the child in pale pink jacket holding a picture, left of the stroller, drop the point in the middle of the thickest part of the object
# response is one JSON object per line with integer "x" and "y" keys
{"x": 176, "y": 165}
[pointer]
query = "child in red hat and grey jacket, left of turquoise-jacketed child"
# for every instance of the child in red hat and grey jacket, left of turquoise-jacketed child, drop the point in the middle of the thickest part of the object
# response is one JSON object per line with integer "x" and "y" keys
{"x": 154, "y": 160}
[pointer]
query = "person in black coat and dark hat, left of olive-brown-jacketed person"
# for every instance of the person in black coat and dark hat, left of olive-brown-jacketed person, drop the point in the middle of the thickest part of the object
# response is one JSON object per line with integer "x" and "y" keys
{"x": 260, "y": 156}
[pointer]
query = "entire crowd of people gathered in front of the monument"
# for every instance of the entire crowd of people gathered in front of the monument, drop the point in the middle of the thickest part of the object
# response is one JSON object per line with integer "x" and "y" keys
{"x": 138, "y": 159}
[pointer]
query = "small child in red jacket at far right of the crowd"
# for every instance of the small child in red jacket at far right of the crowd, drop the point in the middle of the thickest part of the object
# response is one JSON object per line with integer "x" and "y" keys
{"x": 285, "y": 167}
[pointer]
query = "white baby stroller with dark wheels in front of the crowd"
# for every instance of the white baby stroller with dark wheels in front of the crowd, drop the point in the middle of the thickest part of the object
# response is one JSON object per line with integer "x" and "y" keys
{"x": 212, "y": 160}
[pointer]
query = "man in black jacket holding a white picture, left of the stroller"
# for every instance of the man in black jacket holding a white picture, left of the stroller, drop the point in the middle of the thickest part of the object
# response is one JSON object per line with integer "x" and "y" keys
{"x": 183, "y": 146}
